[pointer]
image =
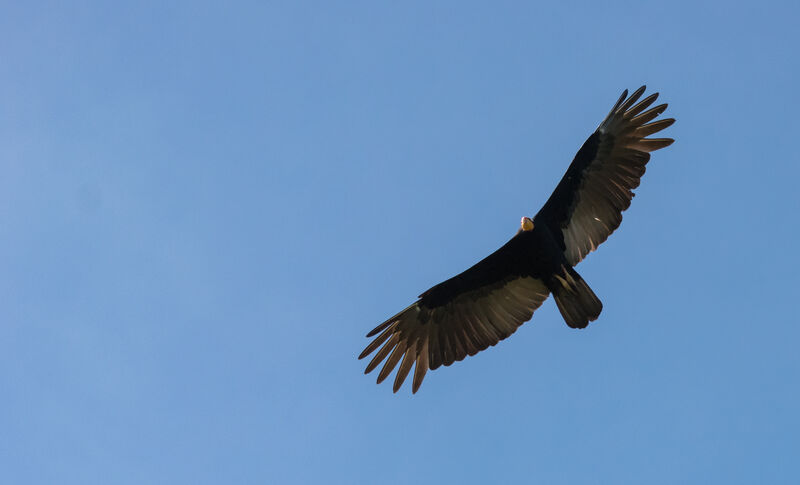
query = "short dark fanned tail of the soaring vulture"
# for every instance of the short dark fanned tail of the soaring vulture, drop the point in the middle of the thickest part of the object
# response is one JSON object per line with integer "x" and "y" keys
{"x": 576, "y": 301}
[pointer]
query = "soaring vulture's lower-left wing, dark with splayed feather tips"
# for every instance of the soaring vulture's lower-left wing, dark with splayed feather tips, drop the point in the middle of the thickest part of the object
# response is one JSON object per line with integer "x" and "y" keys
{"x": 458, "y": 317}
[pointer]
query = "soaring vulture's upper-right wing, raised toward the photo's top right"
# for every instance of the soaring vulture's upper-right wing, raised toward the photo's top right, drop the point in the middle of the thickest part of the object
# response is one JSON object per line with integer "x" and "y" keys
{"x": 586, "y": 206}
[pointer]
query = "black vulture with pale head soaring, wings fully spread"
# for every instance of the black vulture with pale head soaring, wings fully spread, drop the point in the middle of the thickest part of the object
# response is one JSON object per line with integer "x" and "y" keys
{"x": 488, "y": 302}
